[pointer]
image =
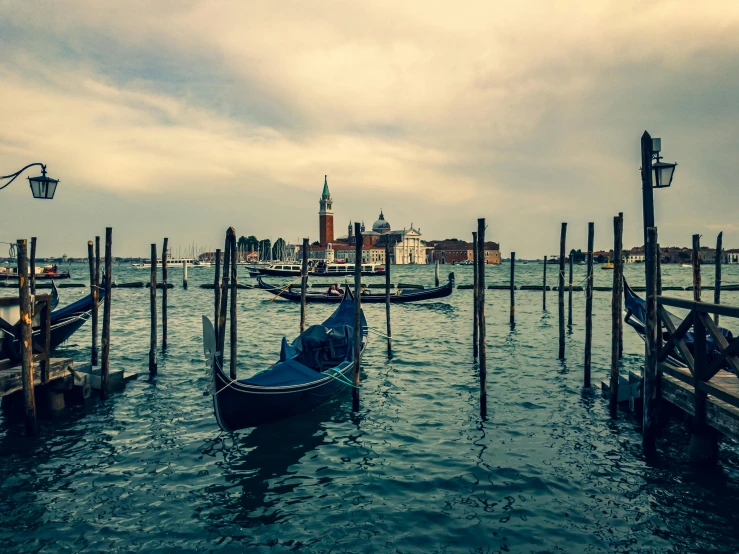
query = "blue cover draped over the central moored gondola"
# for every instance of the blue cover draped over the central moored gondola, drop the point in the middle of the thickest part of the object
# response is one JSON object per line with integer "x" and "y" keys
{"x": 291, "y": 369}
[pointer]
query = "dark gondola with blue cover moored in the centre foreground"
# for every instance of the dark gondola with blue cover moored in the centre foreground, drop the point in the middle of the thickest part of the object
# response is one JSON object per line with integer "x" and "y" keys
{"x": 316, "y": 366}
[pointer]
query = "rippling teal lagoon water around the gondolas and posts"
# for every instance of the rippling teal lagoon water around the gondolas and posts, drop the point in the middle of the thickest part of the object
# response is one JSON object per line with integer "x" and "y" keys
{"x": 416, "y": 470}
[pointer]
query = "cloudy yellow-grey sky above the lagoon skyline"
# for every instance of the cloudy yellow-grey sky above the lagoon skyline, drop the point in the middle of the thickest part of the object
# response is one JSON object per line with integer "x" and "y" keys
{"x": 182, "y": 118}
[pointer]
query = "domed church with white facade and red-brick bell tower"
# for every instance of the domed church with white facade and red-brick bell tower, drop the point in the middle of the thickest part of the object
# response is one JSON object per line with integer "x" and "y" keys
{"x": 406, "y": 246}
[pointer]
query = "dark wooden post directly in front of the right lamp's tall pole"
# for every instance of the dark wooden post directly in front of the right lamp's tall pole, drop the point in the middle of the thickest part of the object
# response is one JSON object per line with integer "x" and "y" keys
{"x": 649, "y": 423}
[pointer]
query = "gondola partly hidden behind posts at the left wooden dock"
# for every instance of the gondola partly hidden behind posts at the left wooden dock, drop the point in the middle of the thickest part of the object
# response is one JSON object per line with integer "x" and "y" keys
{"x": 64, "y": 323}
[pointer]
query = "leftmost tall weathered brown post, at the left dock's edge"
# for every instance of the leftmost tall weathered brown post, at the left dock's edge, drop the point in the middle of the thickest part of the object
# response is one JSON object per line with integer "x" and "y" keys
{"x": 26, "y": 338}
